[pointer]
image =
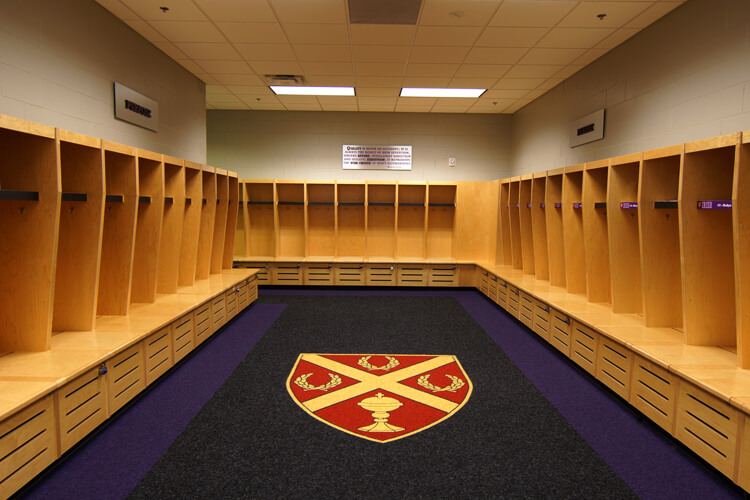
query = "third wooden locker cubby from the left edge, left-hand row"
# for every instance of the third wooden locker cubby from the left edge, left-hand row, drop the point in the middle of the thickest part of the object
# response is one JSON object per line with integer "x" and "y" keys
{"x": 118, "y": 234}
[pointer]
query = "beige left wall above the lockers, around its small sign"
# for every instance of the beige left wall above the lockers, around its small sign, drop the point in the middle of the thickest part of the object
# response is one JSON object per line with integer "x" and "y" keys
{"x": 58, "y": 62}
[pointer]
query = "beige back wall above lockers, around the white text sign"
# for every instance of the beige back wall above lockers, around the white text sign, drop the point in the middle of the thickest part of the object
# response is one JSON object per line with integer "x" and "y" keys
{"x": 308, "y": 145}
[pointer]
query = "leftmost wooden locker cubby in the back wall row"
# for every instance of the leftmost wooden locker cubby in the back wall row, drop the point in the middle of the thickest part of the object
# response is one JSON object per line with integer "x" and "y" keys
{"x": 260, "y": 228}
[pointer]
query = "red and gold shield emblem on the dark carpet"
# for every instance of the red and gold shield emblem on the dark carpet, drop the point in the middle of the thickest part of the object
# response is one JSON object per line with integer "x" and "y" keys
{"x": 380, "y": 397}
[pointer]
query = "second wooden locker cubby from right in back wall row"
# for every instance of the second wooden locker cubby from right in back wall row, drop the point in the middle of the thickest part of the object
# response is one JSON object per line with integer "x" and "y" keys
{"x": 410, "y": 221}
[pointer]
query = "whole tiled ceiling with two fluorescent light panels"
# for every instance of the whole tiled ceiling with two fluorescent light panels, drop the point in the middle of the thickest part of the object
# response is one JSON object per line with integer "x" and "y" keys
{"x": 517, "y": 49}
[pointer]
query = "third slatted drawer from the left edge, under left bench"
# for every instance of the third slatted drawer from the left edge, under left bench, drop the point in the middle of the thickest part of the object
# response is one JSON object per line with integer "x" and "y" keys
{"x": 125, "y": 377}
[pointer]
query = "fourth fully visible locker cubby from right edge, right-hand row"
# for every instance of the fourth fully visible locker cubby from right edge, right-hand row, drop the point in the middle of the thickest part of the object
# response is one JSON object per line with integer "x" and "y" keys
{"x": 596, "y": 239}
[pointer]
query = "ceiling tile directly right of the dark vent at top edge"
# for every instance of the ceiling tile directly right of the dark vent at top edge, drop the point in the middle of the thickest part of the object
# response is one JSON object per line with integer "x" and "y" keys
{"x": 457, "y": 12}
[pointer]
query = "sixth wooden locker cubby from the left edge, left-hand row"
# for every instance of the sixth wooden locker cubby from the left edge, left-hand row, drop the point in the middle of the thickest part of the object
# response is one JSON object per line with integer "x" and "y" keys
{"x": 191, "y": 226}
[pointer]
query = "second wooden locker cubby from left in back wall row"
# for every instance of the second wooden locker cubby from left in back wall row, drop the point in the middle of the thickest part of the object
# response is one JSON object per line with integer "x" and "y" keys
{"x": 291, "y": 219}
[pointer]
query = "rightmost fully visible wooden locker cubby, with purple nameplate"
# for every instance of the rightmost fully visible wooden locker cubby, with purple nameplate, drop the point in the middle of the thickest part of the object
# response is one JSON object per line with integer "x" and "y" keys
{"x": 707, "y": 242}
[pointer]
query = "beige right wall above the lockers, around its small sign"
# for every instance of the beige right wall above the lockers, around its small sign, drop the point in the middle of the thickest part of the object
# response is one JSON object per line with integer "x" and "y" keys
{"x": 686, "y": 77}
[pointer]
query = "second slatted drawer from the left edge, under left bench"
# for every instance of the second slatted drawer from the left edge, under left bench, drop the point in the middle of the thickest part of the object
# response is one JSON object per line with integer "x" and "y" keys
{"x": 81, "y": 407}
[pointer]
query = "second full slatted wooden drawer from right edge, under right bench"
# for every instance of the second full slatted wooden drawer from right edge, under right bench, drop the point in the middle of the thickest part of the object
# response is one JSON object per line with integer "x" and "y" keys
{"x": 654, "y": 393}
